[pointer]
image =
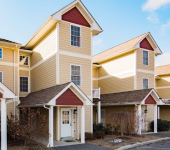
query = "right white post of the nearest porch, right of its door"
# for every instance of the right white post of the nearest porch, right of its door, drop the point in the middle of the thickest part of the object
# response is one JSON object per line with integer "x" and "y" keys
{"x": 82, "y": 124}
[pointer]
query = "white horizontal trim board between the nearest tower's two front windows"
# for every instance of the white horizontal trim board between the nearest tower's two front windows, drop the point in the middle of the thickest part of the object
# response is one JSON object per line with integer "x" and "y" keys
{"x": 75, "y": 54}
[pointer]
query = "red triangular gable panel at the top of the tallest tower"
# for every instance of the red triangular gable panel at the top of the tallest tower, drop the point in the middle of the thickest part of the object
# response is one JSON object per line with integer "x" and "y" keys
{"x": 76, "y": 17}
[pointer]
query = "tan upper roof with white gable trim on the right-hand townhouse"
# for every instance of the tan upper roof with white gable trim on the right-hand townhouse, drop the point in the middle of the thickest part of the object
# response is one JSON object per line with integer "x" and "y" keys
{"x": 124, "y": 47}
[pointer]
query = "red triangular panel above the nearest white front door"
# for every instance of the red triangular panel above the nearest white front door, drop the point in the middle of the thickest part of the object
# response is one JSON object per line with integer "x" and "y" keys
{"x": 68, "y": 98}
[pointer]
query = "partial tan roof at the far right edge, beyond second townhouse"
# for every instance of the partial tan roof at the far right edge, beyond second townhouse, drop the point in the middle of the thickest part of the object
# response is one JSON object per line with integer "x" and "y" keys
{"x": 162, "y": 70}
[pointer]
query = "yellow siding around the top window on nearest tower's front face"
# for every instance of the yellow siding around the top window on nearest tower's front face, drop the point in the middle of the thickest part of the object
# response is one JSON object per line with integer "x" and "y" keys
{"x": 65, "y": 39}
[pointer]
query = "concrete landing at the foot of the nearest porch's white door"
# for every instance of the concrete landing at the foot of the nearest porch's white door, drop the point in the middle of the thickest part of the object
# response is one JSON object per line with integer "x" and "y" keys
{"x": 45, "y": 141}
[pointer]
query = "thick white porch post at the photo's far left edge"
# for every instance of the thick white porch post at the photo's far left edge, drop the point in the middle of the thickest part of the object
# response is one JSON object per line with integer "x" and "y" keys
{"x": 3, "y": 125}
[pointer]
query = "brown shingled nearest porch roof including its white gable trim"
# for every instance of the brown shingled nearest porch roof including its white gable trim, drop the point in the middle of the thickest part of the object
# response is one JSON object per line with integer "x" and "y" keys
{"x": 49, "y": 95}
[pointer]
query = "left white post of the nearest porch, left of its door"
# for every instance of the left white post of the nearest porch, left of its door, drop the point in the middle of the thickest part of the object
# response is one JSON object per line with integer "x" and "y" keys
{"x": 51, "y": 126}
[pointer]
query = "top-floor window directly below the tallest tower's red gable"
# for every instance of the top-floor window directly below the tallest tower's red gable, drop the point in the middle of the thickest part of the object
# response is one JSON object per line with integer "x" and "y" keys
{"x": 75, "y": 36}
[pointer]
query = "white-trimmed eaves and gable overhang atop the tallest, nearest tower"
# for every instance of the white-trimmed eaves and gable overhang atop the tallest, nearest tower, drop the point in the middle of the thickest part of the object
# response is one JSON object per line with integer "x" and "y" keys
{"x": 57, "y": 17}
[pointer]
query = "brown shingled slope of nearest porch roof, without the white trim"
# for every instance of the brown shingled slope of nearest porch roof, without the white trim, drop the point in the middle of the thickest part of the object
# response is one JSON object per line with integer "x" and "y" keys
{"x": 43, "y": 96}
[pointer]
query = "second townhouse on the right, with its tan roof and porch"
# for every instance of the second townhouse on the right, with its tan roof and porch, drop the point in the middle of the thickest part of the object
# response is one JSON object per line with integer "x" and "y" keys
{"x": 125, "y": 75}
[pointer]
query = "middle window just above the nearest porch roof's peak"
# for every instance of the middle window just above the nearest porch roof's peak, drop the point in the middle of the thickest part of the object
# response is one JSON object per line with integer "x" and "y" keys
{"x": 76, "y": 74}
